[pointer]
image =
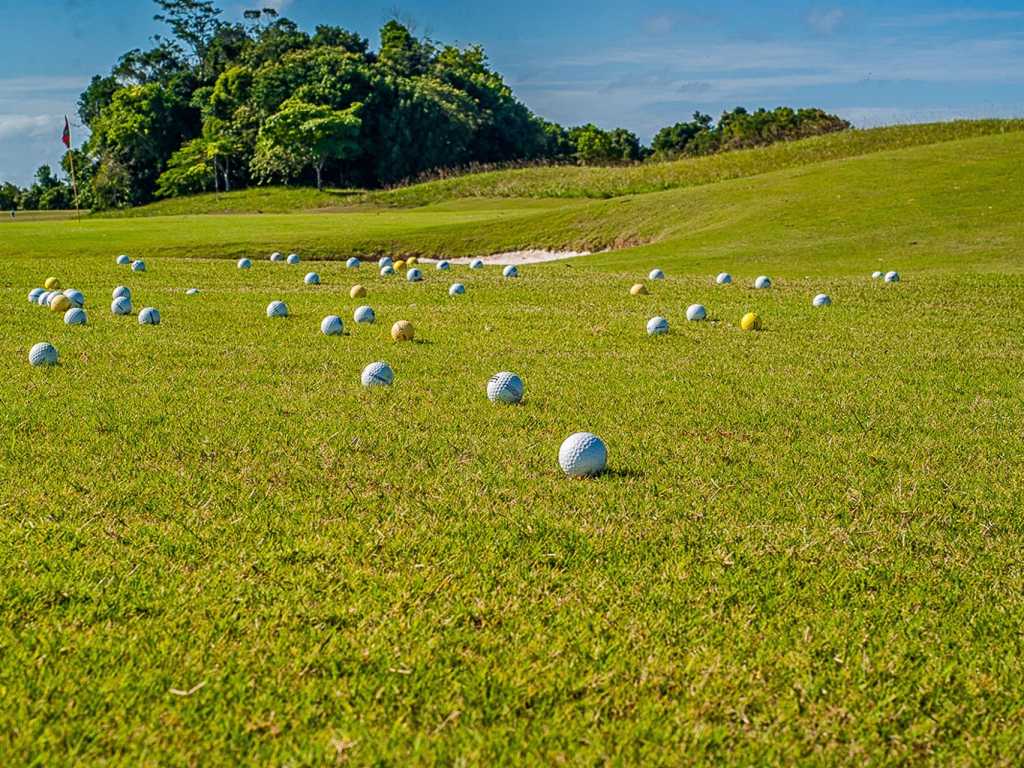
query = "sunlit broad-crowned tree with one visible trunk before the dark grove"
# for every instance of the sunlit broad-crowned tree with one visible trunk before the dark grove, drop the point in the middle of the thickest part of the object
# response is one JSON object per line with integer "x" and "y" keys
{"x": 317, "y": 133}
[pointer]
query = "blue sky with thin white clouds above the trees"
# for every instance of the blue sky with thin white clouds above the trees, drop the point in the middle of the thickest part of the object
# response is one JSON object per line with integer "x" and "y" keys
{"x": 636, "y": 64}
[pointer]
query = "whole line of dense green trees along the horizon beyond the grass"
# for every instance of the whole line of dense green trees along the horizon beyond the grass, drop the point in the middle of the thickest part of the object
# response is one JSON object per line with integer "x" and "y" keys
{"x": 219, "y": 106}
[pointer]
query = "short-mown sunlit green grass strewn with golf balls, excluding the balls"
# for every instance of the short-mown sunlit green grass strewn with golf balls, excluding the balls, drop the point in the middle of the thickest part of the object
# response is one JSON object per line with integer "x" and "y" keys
{"x": 218, "y": 548}
